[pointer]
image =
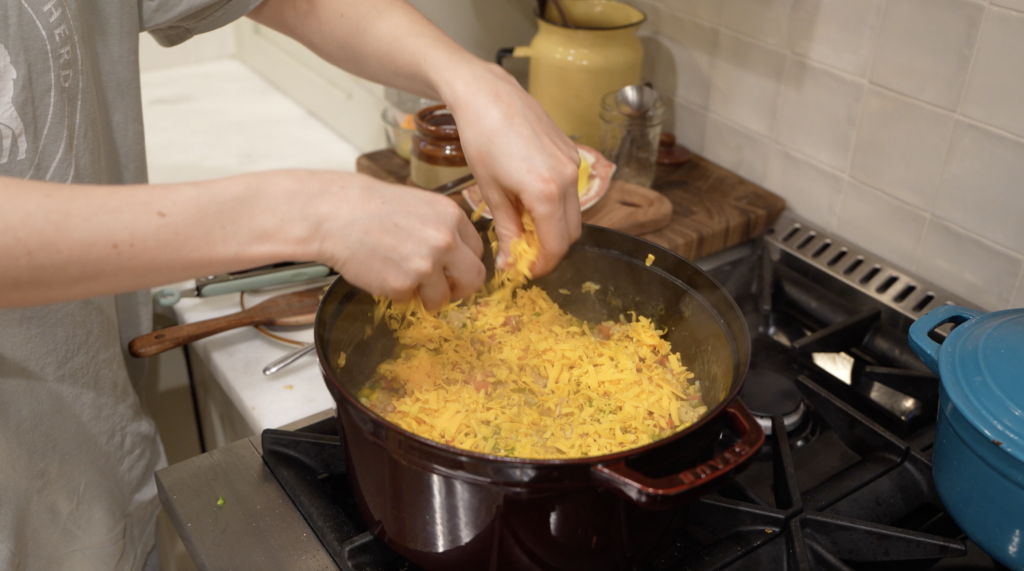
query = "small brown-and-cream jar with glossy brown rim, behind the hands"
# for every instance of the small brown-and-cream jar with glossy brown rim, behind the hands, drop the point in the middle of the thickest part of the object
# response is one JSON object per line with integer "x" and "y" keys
{"x": 436, "y": 156}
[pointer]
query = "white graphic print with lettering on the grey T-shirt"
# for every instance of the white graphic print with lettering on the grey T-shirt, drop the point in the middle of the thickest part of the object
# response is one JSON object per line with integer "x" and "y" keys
{"x": 40, "y": 93}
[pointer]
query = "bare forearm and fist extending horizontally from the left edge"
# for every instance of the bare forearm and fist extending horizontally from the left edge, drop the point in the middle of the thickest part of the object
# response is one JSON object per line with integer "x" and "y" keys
{"x": 70, "y": 242}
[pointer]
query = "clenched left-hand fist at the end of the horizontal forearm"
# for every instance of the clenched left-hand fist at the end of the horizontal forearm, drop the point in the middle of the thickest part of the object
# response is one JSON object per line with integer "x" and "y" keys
{"x": 396, "y": 241}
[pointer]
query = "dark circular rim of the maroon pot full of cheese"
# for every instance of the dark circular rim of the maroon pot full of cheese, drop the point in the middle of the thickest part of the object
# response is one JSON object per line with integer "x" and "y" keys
{"x": 740, "y": 377}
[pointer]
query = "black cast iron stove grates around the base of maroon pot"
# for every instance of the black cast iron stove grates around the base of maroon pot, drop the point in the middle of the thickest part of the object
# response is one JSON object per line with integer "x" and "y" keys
{"x": 873, "y": 506}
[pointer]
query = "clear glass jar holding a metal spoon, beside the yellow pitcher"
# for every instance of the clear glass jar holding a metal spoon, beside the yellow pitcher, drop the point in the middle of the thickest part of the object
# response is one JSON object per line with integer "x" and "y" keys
{"x": 631, "y": 143}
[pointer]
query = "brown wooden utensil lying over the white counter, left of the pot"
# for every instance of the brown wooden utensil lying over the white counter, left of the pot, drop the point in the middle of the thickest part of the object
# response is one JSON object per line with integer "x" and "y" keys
{"x": 298, "y": 309}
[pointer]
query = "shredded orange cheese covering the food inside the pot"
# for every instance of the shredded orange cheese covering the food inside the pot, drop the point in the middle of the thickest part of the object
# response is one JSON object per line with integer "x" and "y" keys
{"x": 511, "y": 374}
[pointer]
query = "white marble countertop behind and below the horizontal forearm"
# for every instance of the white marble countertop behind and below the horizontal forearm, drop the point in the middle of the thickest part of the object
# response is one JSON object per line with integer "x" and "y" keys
{"x": 220, "y": 119}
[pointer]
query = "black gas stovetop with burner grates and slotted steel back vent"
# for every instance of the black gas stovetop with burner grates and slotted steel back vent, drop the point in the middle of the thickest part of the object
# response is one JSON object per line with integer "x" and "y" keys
{"x": 844, "y": 479}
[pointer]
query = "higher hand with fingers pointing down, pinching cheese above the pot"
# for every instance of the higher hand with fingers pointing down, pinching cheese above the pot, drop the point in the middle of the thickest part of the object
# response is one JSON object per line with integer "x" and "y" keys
{"x": 520, "y": 157}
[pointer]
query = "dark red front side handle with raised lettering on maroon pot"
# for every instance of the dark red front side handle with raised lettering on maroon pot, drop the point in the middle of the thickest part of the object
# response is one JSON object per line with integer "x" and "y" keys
{"x": 645, "y": 491}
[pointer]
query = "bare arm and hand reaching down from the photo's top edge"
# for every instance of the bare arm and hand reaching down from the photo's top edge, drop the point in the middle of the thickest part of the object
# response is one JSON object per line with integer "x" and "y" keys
{"x": 520, "y": 157}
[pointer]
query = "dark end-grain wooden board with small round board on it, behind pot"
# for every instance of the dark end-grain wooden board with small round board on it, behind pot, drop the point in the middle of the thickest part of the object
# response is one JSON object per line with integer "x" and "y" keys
{"x": 712, "y": 208}
